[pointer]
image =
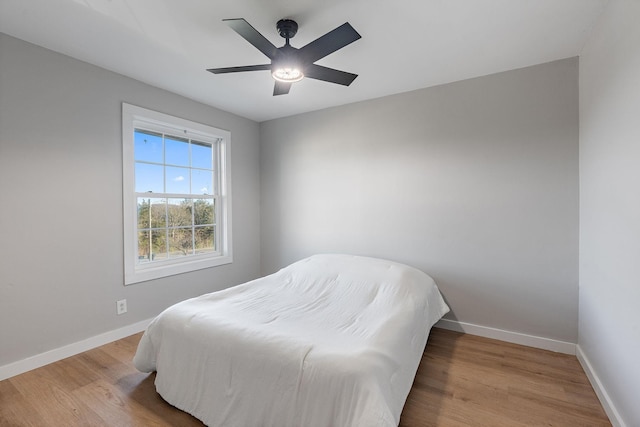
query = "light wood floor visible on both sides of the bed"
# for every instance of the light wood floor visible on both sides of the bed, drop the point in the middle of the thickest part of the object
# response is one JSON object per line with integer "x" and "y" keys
{"x": 463, "y": 380}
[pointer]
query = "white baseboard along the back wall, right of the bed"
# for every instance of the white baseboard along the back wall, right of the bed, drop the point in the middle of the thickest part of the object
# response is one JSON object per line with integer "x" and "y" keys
{"x": 508, "y": 336}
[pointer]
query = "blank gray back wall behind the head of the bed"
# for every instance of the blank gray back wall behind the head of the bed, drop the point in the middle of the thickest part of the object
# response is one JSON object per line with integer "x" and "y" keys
{"x": 474, "y": 182}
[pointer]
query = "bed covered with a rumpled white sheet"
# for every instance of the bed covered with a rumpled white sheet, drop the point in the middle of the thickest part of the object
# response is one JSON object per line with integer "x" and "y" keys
{"x": 331, "y": 340}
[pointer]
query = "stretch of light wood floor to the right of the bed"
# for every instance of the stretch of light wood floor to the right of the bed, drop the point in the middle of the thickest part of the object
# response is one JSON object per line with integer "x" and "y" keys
{"x": 475, "y": 381}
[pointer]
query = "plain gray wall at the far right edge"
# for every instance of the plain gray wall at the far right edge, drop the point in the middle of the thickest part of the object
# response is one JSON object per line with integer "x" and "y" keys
{"x": 610, "y": 206}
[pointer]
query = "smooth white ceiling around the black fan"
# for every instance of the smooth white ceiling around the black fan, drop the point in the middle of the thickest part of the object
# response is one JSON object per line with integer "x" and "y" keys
{"x": 405, "y": 45}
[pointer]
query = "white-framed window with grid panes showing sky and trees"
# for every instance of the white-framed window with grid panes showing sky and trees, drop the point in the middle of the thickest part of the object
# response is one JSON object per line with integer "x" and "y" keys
{"x": 177, "y": 199}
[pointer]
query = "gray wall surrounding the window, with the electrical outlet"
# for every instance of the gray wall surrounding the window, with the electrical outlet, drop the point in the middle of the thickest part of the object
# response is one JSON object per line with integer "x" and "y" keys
{"x": 61, "y": 253}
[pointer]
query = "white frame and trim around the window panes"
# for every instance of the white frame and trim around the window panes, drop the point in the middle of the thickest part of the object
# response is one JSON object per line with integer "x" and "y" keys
{"x": 136, "y": 117}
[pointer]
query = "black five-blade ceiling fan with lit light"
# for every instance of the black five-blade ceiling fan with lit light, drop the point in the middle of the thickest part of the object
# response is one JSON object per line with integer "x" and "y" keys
{"x": 289, "y": 64}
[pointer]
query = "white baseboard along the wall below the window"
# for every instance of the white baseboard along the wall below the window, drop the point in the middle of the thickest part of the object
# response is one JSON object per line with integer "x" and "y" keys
{"x": 33, "y": 362}
